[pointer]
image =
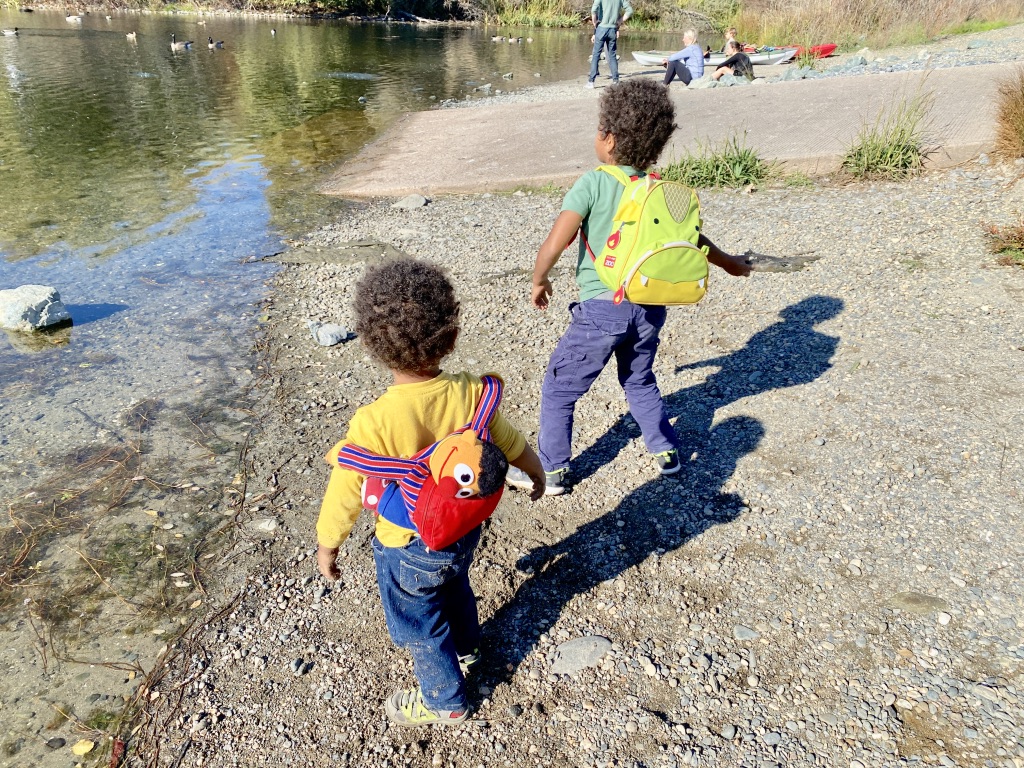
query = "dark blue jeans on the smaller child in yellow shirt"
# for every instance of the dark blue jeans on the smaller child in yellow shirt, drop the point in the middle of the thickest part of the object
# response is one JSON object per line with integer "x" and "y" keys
{"x": 432, "y": 610}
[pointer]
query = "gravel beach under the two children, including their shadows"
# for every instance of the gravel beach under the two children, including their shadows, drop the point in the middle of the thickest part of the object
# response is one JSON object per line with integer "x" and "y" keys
{"x": 833, "y": 580}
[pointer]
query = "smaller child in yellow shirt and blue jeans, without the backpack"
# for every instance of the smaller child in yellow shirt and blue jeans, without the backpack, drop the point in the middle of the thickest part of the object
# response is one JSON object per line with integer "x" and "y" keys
{"x": 407, "y": 316}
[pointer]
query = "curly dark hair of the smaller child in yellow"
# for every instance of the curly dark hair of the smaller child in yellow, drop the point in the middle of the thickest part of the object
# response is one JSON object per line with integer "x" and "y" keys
{"x": 407, "y": 314}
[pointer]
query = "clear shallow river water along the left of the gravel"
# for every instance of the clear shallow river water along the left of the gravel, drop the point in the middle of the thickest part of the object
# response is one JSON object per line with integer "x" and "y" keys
{"x": 141, "y": 183}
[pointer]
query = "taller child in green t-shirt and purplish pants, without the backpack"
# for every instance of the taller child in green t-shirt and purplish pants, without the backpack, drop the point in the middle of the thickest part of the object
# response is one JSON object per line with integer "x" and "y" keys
{"x": 636, "y": 120}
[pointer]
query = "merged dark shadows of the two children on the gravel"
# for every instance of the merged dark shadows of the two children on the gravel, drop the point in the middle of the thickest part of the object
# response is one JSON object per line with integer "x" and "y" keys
{"x": 665, "y": 514}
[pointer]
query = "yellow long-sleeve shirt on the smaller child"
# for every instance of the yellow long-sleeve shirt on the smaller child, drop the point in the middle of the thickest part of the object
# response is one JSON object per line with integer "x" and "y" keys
{"x": 403, "y": 421}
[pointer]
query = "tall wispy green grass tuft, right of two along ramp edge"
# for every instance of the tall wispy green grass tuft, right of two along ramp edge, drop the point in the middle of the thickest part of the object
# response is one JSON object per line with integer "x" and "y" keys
{"x": 892, "y": 148}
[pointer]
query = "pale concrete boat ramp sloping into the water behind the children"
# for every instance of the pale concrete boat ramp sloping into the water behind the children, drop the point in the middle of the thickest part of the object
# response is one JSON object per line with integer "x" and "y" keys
{"x": 805, "y": 125}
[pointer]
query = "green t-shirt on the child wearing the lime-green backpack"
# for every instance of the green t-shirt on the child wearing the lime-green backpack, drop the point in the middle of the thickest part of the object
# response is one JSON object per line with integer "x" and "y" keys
{"x": 595, "y": 197}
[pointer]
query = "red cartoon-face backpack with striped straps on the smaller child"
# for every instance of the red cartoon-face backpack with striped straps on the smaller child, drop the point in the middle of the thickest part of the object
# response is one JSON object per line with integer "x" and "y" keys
{"x": 445, "y": 491}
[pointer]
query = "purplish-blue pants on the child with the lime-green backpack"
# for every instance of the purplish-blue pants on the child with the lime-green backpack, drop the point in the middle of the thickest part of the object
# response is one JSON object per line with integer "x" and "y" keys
{"x": 599, "y": 330}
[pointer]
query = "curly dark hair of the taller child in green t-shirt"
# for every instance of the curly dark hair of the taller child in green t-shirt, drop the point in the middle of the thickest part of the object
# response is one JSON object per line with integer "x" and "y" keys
{"x": 642, "y": 117}
